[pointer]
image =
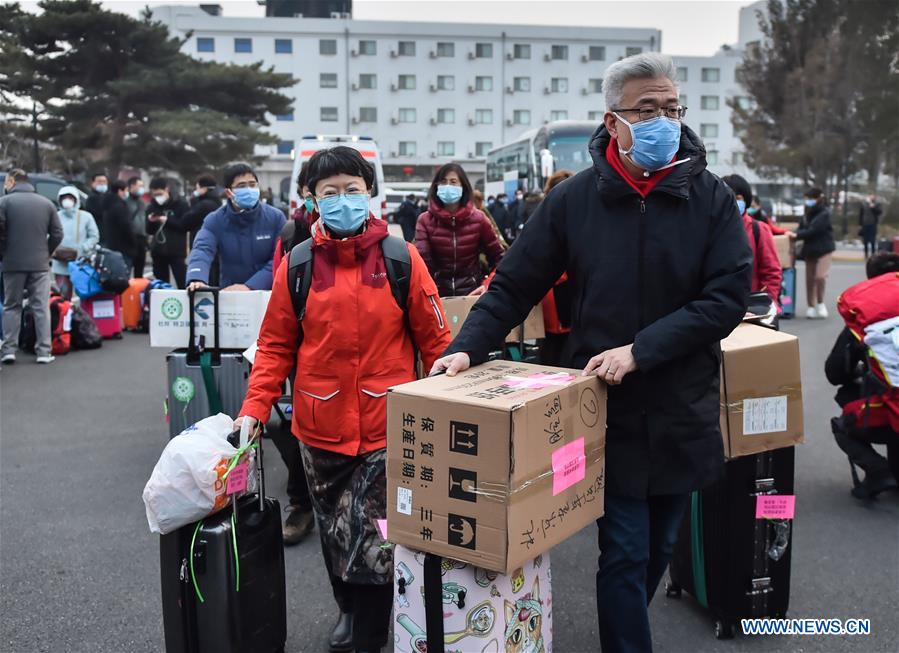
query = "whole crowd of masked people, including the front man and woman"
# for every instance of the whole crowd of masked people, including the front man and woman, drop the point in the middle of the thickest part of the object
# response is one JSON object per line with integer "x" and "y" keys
{"x": 627, "y": 297}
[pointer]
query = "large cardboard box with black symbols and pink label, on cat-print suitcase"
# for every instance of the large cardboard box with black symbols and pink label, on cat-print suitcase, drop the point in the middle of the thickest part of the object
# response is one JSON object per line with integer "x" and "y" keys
{"x": 496, "y": 465}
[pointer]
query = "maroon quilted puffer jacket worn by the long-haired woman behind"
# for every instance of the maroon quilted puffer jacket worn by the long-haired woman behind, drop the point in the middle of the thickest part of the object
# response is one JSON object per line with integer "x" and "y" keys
{"x": 451, "y": 245}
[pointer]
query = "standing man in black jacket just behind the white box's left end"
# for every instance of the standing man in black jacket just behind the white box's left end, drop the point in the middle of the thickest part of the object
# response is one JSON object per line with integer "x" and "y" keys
{"x": 165, "y": 222}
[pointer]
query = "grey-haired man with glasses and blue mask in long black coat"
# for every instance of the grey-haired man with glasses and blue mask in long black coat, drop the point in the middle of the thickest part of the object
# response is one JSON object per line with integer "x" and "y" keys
{"x": 659, "y": 265}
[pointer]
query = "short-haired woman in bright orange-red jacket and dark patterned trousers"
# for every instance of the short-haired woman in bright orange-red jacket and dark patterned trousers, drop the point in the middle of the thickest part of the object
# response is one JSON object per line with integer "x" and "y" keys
{"x": 356, "y": 343}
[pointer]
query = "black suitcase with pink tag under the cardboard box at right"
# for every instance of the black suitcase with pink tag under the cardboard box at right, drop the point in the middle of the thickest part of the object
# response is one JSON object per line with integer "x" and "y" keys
{"x": 735, "y": 565}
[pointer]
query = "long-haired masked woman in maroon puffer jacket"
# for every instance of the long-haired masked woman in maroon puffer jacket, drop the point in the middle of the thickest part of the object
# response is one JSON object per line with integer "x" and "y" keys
{"x": 452, "y": 234}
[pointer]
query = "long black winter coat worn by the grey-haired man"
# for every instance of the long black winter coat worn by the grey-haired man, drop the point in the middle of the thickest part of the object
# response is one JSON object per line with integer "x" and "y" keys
{"x": 670, "y": 274}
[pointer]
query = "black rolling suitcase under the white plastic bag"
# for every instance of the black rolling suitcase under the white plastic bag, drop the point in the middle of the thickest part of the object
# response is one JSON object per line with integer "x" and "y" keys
{"x": 223, "y": 588}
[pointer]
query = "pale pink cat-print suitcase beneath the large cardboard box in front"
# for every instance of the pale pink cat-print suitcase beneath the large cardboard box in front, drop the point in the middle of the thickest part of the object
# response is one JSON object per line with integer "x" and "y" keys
{"x": 444, "y": 606}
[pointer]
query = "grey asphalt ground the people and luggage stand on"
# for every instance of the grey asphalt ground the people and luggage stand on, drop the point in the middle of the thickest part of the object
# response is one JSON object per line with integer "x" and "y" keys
{"x": 79, "y": 570}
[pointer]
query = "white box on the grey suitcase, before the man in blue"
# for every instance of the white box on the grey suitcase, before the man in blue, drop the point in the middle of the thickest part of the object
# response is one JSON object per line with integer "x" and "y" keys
{"x": 240, "y": 314}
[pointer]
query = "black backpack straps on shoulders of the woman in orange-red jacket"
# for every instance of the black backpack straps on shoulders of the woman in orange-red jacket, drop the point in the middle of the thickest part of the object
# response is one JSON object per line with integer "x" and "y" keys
{"x": 396, "y": 260}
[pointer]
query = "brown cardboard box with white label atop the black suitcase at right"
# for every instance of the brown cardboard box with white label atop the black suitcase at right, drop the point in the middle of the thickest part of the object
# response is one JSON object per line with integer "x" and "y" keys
{"x": 761, "y": 391}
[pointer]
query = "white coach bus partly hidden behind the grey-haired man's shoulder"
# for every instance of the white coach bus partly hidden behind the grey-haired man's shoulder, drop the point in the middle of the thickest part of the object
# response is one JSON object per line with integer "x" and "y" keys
{"x": 527, "y": 162}
